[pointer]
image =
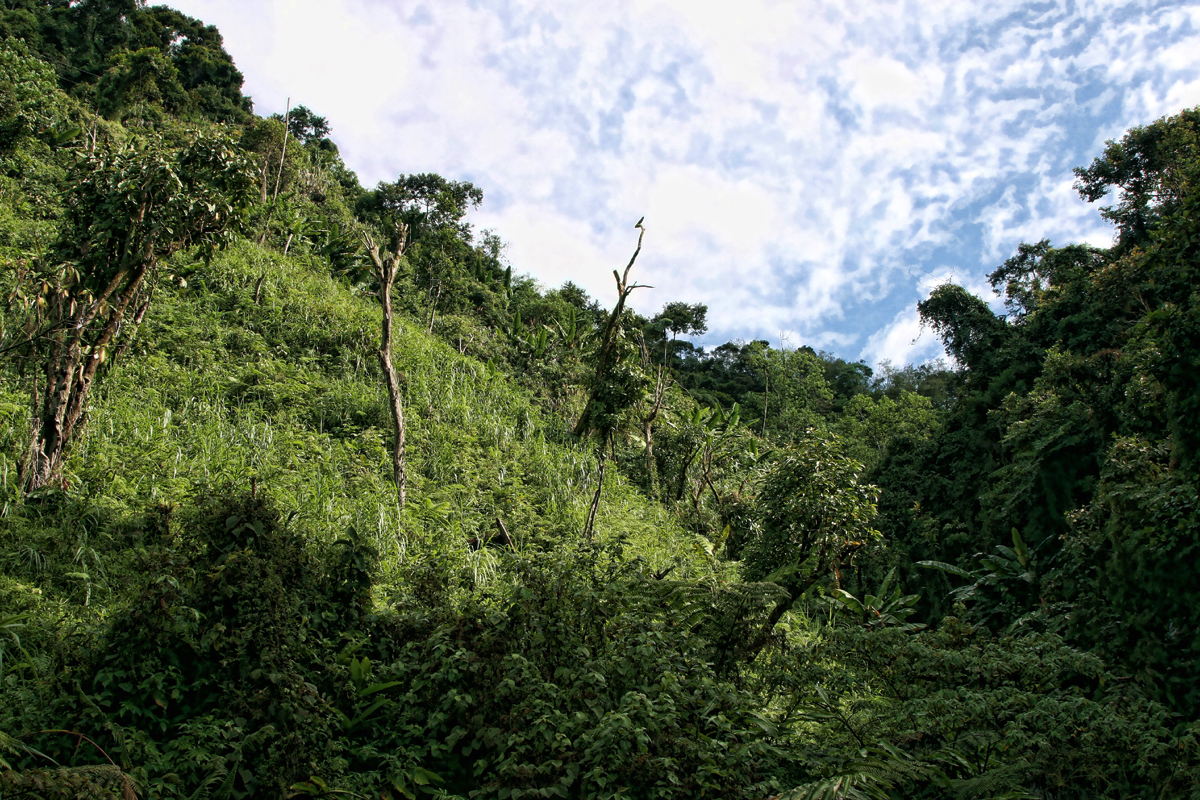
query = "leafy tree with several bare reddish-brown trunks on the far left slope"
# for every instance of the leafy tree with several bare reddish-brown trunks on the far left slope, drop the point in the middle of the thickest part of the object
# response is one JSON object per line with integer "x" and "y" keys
{"x": 129, "y": 210}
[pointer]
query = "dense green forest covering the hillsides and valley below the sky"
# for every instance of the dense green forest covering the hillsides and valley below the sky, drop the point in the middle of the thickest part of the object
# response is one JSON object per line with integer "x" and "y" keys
{"x": 307, "y": 492}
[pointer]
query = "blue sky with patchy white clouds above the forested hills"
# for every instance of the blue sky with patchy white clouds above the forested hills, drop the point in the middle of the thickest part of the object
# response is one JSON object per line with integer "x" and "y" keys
{"x": 808, "y": 170}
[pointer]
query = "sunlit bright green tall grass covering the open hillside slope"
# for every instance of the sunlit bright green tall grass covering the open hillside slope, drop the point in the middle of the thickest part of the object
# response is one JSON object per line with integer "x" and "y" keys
{"x": 257, "y": 371}
